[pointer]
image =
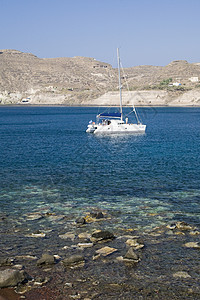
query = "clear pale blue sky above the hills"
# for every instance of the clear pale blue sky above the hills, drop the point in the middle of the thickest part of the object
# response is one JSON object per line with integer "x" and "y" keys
{"x": 151, "y": 32}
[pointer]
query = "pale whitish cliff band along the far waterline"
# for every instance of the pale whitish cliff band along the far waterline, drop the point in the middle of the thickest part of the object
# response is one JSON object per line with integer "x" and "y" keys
{"x": 143, "y": 98}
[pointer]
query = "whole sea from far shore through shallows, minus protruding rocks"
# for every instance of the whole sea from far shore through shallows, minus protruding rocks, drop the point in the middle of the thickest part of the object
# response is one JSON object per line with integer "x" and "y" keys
{"x": 52, "y": 172}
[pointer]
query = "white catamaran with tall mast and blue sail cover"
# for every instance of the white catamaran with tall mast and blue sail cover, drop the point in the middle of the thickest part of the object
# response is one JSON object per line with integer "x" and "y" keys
{"x": 108, "y": 123}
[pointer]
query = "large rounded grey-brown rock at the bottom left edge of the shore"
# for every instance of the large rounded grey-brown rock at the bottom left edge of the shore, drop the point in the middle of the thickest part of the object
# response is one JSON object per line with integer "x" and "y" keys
{"x": 10, "y": 277}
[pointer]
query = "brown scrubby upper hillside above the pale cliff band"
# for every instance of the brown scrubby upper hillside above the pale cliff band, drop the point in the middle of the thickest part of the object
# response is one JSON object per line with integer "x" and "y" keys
{"x": 76, "y": 78}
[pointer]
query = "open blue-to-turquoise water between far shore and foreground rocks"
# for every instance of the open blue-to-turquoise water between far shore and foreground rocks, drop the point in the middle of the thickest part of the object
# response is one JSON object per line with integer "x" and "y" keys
{"x": 48, "y": 162}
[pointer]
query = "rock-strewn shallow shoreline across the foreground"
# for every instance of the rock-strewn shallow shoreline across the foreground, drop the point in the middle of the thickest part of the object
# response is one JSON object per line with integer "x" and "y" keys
{"x": 91, "y": 257}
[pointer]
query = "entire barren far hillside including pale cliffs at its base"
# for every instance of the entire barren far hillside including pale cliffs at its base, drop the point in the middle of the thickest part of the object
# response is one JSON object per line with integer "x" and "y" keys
{"x": 27, "y": 79}
